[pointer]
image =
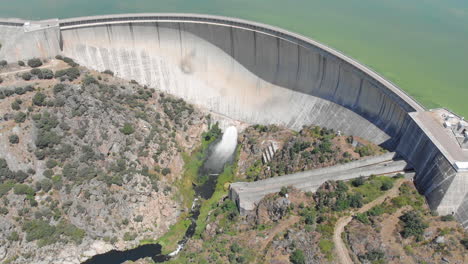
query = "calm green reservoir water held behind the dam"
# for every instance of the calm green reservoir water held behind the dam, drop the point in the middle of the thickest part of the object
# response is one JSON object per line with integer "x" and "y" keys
{"x": 421, "y": 45}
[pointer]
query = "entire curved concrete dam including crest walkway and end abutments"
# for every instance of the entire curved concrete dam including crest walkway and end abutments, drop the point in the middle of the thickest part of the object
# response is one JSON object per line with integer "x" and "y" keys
{"x": 258, "y": 74}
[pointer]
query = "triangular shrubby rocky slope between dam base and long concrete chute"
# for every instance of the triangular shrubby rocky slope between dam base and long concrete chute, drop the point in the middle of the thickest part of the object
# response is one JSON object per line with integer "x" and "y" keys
{"x": 268, "y": 151}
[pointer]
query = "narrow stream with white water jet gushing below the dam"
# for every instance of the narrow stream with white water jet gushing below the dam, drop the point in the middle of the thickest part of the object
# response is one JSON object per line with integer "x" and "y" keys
{"x": 219, "y": 154}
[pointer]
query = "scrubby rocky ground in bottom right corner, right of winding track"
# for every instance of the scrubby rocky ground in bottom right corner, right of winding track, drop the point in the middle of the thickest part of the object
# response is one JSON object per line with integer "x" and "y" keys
{"x": 403, "y": 230}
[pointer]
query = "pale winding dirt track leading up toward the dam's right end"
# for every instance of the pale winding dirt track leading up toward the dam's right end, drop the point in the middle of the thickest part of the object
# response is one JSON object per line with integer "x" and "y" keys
{"x": 340, "y": 247}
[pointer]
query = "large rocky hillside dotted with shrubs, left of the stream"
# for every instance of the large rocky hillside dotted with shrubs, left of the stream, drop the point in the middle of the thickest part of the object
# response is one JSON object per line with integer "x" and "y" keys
{"x": 87, "y": 161}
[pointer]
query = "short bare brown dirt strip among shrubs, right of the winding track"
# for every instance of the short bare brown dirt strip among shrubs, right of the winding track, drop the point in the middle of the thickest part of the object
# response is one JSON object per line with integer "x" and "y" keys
{"x": 388, "y": 228}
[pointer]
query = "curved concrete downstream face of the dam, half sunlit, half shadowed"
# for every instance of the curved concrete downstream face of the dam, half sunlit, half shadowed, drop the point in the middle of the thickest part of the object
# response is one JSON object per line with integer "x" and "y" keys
{"x": 245, "y": 74}
